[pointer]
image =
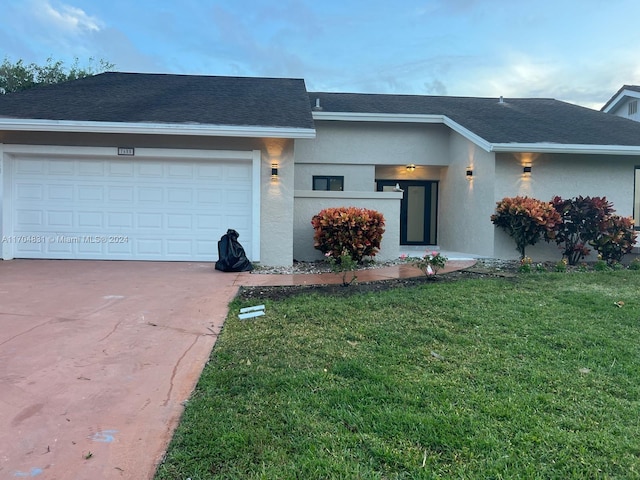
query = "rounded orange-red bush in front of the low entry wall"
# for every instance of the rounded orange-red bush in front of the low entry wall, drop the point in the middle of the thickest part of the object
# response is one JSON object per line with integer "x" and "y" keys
{"x": 354, "y": 231}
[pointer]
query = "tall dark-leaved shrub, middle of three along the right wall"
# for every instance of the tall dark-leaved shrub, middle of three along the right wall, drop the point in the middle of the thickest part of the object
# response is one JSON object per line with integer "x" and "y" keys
{"x": 582, "y": 219}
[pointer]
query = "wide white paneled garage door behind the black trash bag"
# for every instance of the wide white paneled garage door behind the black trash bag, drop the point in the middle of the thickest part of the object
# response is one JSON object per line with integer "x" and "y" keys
{"x": 128, "y": 209}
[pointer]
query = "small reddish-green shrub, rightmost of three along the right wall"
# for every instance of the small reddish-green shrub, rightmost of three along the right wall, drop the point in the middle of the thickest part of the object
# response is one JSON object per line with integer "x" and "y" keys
{"x": 616, "y": 238}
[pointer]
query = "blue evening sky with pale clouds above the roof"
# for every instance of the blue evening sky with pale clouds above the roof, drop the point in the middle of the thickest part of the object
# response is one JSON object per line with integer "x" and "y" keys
{"x": 579, "y": 51}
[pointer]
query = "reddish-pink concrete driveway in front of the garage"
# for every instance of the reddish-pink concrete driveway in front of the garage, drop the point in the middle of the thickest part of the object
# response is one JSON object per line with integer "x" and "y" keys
{"x": 96, "y": 359}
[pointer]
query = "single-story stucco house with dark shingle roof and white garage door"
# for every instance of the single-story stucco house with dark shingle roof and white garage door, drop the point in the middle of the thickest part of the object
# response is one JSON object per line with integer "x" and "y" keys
{"x": 157, "y": 167}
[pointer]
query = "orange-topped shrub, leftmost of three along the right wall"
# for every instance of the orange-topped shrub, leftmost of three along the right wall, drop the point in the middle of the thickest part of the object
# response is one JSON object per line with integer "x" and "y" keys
{"x": 526, "y": 220}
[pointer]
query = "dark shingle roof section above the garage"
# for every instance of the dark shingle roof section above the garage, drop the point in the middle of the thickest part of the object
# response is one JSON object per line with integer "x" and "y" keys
{"x": 160, "y": 98}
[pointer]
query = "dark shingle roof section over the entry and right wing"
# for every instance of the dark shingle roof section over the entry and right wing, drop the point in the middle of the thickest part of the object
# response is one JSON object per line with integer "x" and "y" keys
{"x": 517, "y": 120}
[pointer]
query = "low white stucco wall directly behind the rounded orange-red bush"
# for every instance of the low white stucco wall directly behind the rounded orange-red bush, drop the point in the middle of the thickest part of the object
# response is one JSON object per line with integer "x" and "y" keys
{"x": 309, "y": 203}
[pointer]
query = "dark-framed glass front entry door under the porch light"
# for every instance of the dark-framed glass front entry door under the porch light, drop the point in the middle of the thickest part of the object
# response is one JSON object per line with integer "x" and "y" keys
{"x": 417, "y": 210}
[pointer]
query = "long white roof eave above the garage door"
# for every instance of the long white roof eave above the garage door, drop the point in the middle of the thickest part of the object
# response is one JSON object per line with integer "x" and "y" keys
{"x": 34, "y": 125}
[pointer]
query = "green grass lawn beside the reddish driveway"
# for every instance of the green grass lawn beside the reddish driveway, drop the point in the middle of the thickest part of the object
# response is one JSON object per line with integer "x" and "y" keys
{"x": 533, "y": 378}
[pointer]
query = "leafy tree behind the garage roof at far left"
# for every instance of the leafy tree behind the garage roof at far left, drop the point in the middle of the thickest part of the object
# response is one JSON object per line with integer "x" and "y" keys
{"x": 18, "y": 76}
